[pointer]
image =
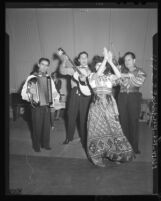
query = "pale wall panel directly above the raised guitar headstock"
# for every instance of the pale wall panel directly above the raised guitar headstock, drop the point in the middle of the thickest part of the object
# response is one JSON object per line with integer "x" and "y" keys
{"x": 55, "y": 28}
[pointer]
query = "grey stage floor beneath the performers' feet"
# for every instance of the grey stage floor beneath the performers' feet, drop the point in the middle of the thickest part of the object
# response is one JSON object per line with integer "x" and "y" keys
{"x": 65, "y": 170}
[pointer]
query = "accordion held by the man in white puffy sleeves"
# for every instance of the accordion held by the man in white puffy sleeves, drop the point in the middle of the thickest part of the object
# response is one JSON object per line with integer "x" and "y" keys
{"x": 42, "y": 91}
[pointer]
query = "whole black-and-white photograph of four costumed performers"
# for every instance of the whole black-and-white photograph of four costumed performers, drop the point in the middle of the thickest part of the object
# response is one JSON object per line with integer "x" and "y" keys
{"x": 81, "y": 99}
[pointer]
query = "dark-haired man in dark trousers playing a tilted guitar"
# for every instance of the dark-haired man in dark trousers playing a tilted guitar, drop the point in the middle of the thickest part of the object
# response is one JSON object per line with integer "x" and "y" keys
{"x": 80, "y": 96}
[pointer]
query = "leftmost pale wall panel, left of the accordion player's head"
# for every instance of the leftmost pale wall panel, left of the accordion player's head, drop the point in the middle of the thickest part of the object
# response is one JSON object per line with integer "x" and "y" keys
{"x": 25, "y": 45}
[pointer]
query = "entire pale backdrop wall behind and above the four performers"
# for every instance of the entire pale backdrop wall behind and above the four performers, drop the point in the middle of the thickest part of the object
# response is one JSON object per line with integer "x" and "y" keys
{"x": 39, "y": 32}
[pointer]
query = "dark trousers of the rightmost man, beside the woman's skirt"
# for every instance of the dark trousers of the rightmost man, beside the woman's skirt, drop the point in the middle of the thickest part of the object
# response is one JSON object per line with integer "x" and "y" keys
{"x": 129, "y": 106}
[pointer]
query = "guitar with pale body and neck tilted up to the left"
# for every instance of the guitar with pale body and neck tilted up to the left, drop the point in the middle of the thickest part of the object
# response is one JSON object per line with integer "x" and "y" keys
{"x": 84, "y": 88}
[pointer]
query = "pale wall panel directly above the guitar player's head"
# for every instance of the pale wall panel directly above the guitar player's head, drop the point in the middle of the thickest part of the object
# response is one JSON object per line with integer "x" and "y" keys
{"x": 91, "y": 30}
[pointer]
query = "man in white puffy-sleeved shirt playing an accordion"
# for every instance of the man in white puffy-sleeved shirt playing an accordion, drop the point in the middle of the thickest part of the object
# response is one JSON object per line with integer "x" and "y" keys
{"x": 39, "y": 89}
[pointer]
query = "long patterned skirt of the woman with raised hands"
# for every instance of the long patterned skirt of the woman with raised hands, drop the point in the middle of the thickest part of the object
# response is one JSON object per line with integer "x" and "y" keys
{"x": 105, "y": 139}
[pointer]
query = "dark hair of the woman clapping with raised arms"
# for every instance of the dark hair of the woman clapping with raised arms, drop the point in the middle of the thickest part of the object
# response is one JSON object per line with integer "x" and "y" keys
{"x": 98, "y": 59}
